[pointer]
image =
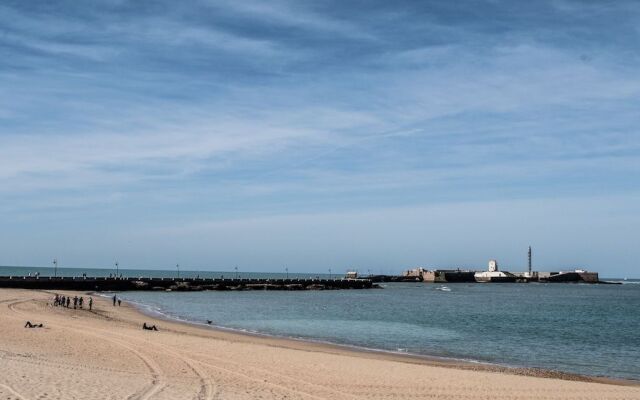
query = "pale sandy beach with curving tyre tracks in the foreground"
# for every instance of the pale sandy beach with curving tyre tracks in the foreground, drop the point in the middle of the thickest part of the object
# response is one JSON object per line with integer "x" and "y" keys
{"x": 106, "y": 355}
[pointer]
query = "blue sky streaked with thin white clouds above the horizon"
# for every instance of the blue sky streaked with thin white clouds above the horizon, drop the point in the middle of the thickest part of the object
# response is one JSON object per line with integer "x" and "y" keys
{"x": 320, "y": 134}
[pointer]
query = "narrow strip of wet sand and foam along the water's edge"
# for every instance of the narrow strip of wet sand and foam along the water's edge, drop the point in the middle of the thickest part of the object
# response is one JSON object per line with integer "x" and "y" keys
{"x": 424, "y": 359}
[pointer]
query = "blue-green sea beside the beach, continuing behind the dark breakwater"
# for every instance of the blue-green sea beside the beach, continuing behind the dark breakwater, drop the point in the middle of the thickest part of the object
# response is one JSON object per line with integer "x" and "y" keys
{"x": 577, "y": 328}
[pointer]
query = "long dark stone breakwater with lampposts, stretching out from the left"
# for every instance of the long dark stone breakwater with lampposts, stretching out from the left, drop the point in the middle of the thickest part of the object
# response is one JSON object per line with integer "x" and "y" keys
{"x": 178, "y": 284}
